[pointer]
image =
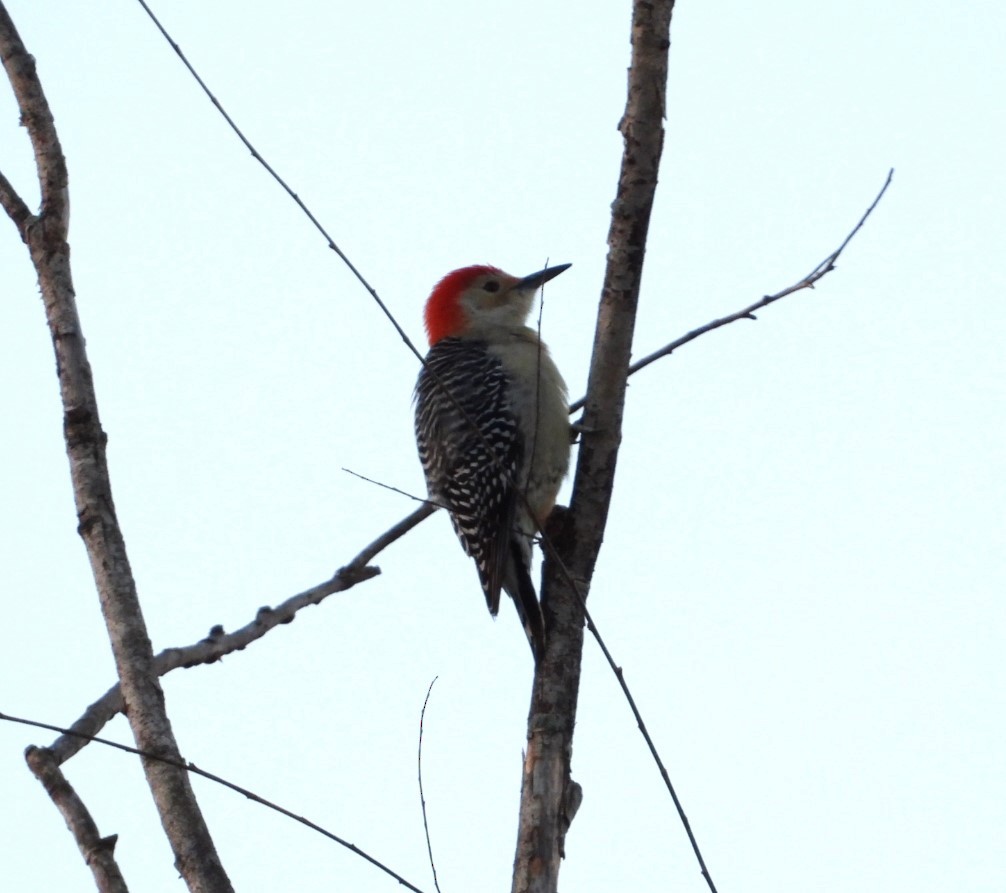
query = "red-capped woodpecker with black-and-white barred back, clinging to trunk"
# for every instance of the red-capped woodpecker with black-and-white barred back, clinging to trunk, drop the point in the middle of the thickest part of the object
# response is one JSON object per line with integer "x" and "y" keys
{"x": 492, "y": 427}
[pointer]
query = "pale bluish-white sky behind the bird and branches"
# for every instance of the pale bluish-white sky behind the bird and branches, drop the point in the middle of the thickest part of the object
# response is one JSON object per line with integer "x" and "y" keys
{"x": 804, "y": 571}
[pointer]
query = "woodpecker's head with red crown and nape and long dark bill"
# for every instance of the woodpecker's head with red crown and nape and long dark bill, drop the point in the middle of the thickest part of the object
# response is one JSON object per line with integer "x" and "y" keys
{"x": 482, "y": 298}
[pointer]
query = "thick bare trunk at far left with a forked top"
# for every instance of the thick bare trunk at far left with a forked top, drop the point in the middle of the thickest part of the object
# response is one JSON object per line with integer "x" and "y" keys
{"x": 196, "y": 855}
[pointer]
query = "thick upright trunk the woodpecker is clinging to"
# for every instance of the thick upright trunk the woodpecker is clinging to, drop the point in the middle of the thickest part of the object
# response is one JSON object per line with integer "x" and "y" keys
{"x": 549, "y": 796}
